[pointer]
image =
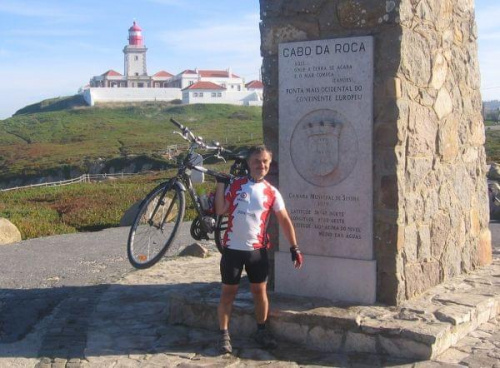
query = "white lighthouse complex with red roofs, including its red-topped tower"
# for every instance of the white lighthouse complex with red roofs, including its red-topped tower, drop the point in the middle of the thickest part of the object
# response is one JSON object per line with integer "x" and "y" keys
{"x": 190, "y": 86}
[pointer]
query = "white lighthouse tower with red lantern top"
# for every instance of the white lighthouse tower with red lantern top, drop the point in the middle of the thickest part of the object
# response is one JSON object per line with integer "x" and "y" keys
{"x": 135, "y": 58}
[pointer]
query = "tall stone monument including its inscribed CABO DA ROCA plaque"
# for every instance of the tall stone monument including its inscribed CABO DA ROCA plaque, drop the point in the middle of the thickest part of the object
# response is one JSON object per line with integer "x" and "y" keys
{"x": 373, "y": 111}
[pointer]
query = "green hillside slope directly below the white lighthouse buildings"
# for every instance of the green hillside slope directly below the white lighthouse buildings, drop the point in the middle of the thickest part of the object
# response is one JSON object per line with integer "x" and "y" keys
{"x": 59, "y": 134}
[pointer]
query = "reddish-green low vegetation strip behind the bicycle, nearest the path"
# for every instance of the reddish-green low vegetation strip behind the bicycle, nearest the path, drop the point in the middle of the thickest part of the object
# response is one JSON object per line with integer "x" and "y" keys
{"x": 81, "y": 207}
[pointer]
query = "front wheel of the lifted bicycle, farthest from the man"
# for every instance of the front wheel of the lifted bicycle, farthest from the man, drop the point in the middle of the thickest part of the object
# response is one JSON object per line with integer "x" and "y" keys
{"x": 156, "y": 224}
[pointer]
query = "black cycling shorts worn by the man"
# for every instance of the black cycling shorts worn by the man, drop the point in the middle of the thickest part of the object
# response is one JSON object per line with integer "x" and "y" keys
{"x": 256, "y": 265}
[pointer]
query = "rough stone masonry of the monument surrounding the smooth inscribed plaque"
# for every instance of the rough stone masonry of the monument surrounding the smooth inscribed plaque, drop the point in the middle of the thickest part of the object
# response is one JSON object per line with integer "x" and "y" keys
{"x": 430, "y": 191}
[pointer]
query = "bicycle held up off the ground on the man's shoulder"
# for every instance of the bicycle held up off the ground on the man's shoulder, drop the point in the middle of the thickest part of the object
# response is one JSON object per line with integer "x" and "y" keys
{"x": 162, "y": 211}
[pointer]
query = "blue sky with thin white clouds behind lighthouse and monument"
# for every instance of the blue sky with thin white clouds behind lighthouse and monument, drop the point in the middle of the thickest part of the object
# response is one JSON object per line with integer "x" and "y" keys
{"x": 51, "y": 48}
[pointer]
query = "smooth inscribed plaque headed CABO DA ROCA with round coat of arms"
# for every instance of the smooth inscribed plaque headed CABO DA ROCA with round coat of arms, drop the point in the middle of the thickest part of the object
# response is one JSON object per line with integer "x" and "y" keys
{"x": 325, "y": 120}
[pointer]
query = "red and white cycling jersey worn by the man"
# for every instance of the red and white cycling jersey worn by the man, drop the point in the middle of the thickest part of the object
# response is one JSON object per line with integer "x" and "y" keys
{"x": 250, "y": 205}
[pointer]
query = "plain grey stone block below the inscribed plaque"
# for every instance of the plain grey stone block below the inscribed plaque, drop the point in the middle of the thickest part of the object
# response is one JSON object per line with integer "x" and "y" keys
{"x": 338, "y": 279}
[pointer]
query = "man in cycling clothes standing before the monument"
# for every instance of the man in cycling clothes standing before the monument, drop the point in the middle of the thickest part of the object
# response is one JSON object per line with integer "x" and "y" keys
{"x": 248, "y": 202}
